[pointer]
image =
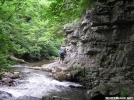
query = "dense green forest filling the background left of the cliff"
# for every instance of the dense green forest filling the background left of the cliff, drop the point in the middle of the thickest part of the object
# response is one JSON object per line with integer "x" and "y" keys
{"x": 33, "y": 29}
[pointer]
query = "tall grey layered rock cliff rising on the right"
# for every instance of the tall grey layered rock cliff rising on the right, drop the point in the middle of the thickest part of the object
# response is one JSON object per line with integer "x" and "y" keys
{"x": 103, "y": 43}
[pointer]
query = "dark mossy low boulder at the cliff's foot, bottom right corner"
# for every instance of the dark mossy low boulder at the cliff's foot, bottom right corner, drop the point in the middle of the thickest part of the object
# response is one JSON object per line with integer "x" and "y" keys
{"x": 108, "y": 90}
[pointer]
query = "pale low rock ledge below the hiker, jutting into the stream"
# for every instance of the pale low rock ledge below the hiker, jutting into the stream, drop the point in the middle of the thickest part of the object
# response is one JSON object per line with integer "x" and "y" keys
{"x": 56, "y": 70}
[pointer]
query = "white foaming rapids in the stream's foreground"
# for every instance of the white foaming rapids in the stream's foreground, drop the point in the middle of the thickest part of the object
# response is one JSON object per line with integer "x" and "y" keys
{"x": 35, "y": 83}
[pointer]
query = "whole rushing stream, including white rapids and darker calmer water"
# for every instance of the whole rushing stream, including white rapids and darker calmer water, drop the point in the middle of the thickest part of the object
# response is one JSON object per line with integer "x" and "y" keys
{"x": 37, "y": 85}
